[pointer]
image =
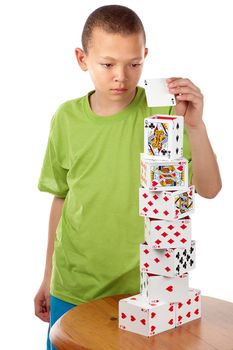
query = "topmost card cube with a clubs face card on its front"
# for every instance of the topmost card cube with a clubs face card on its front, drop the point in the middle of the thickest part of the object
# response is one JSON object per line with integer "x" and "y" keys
{"x": 163, "y": 136}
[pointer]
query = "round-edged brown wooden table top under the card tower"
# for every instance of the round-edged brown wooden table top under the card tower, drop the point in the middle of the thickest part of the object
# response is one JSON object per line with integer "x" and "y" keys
{"x": 94, "y": 326}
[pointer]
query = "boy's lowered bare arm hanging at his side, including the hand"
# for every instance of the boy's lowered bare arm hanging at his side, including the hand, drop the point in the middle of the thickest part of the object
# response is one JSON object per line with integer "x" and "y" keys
{"x": 42, "y": 298}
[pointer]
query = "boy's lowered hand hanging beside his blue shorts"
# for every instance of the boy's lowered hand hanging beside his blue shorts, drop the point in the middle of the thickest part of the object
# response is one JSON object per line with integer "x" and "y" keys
{"x": 42, "y": 302}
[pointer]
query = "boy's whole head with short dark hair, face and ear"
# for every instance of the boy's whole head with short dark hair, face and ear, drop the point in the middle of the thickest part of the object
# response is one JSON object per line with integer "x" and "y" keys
{"x": 113, "y": 52}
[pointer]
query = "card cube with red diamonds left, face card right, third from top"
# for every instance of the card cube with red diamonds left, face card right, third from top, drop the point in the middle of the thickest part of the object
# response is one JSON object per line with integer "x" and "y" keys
{"x": 166, "y": 205}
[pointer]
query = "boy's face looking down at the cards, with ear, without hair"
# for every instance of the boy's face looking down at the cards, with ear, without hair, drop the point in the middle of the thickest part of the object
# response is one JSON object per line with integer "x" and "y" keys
{"x": 114, "y": 62}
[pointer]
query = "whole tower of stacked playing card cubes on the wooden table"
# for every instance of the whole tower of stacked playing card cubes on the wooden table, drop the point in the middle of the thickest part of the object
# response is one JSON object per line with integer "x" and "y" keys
{"x": 168, "y": 253}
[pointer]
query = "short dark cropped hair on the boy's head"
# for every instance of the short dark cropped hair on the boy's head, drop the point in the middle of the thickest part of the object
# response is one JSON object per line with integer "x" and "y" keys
{"x": 115, "y": 19}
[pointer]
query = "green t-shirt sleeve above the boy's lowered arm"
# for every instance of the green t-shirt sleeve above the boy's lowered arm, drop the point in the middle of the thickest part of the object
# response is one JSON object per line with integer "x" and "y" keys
{"x": 53, "y": 176}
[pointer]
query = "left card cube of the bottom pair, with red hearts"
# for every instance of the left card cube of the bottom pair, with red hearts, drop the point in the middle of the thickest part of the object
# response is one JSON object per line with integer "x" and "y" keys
{"x": 138, "y": 316}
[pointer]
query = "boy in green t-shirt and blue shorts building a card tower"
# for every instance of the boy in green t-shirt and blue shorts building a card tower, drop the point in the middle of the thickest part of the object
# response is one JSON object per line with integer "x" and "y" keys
{"x": 91, "y": 166}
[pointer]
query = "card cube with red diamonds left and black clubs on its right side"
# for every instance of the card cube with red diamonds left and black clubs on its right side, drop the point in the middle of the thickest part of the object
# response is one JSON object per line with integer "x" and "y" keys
{"x": 167, "y": 262}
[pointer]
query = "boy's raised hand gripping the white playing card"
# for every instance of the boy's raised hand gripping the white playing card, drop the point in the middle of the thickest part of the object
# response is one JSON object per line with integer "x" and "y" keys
{"x": 189, "y": 101}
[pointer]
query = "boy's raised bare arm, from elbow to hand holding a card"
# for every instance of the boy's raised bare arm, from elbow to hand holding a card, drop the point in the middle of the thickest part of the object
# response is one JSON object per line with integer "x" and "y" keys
{"x": 189, "y": 103}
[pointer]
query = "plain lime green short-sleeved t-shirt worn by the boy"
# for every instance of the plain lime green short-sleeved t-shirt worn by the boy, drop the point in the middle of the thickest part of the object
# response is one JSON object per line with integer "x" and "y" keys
{"x": 93, "y": 162}
